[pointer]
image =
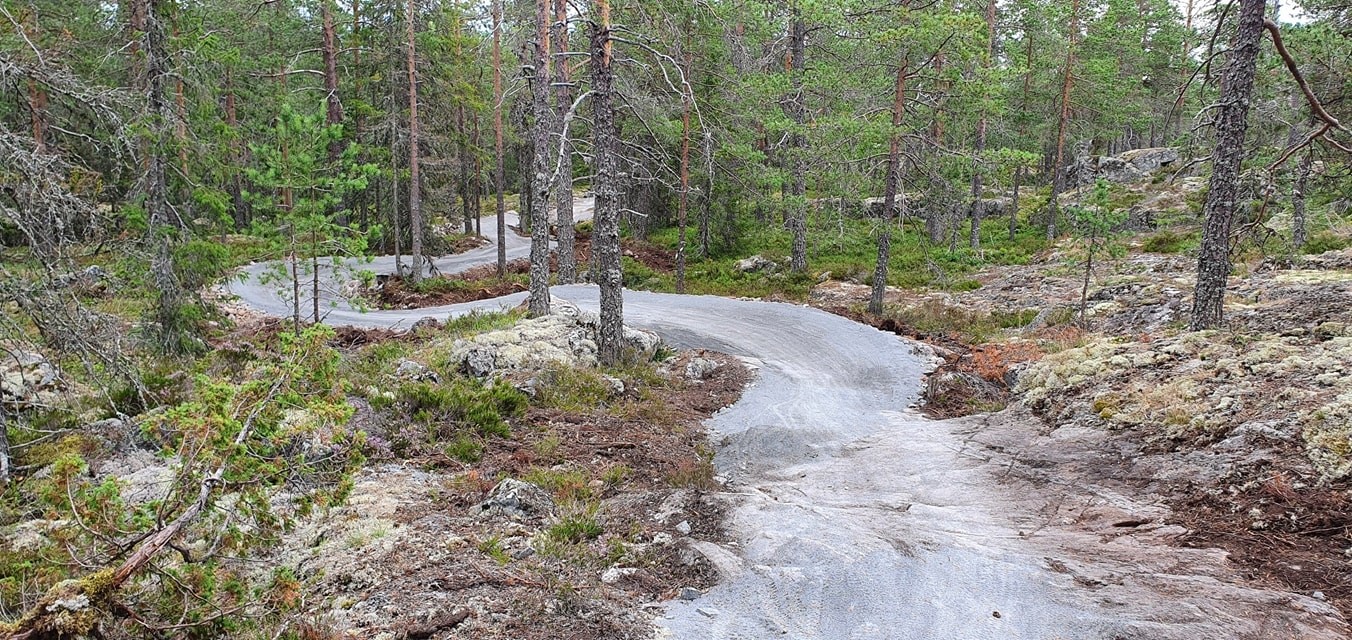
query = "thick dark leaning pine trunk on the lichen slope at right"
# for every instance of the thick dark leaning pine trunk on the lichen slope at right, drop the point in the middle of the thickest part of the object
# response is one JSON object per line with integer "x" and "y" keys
{"x": 1213, "y": 266}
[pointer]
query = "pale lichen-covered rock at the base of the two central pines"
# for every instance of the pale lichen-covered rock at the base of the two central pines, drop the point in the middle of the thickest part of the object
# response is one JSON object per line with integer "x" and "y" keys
{"x": 564, "y": 338}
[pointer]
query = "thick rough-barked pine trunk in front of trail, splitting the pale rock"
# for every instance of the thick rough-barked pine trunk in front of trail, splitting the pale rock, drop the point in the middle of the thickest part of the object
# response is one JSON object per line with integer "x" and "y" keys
{"x": 606, "y": 236}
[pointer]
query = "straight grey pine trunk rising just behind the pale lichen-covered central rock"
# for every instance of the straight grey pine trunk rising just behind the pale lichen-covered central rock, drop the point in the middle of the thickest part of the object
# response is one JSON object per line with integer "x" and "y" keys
{"x": 539, "y": 186}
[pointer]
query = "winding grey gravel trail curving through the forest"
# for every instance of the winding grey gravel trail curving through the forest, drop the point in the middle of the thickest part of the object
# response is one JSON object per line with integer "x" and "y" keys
{"x": 858, "y": 519}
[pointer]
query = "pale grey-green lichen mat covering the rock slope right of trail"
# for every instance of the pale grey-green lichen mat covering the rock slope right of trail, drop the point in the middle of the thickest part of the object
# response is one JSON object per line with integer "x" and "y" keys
{"x": 1199, "y": 388}
